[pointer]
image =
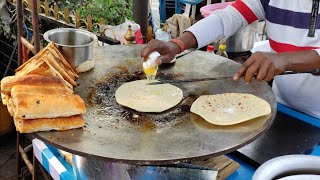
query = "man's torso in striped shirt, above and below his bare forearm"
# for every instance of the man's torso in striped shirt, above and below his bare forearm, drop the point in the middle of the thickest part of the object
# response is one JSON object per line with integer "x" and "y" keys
{"x": 288, "y": 23}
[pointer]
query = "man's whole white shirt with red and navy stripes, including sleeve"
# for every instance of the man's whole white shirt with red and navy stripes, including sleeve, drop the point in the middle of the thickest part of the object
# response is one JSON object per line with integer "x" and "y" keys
{"x": 287, "y": 23}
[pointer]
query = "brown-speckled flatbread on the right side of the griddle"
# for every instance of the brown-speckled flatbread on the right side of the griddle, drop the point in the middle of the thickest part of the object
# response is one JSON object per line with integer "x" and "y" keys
{"x": 230, "y": 108}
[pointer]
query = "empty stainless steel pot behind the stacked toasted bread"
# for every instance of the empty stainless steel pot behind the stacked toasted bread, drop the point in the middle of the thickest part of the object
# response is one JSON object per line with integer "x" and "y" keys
{"x": 75, "y": 44}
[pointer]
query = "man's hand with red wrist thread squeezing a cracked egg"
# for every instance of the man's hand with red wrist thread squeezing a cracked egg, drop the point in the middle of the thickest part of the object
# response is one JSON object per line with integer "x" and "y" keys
{"x": 168, "y": 50}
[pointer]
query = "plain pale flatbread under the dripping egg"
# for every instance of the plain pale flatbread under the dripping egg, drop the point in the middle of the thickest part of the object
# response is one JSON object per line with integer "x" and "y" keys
{"x": 140, "y": 96}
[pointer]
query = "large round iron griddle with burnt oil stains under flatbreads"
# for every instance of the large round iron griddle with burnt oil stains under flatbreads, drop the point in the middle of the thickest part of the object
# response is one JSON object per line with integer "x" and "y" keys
{"x": 115, "y": 133}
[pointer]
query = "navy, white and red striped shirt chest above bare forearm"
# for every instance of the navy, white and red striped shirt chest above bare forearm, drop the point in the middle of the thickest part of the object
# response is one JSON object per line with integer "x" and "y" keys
{"x": 288, "y": 23}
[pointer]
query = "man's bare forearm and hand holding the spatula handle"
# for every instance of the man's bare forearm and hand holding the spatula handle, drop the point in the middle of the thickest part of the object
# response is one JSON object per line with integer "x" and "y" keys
{"x": 267, "y": 65}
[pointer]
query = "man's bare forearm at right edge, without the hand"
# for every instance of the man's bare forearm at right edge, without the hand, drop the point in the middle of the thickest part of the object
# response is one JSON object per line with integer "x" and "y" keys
{"x": 301, "y": 60}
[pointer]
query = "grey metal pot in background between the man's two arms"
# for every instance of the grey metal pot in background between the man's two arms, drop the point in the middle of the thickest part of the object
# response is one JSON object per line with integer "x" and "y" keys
{"x": 243, "y": 39}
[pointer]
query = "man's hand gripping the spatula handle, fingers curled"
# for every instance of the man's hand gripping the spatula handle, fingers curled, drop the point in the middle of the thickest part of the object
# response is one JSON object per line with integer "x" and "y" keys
{"x": 264, "y": 66}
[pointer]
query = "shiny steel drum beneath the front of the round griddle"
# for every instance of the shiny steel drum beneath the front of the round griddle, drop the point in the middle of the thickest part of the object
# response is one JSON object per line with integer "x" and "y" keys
{"x": 85, "y": 168}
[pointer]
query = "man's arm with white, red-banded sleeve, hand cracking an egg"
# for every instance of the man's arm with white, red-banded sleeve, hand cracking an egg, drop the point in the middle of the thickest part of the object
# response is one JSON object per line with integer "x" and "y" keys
{"x": 222, "y": 23}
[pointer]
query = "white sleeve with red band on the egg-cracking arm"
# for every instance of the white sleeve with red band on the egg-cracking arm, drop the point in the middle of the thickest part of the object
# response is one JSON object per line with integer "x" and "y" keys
{"x": 224, "y": 23}
